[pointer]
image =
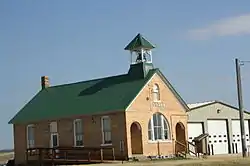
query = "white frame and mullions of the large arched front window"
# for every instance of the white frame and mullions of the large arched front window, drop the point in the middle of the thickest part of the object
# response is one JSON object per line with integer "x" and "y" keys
{"x": 152, "y": 131}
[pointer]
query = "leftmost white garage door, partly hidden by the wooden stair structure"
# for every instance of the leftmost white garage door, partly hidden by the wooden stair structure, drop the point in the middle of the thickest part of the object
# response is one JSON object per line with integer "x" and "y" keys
{"x": 194, "y": 130}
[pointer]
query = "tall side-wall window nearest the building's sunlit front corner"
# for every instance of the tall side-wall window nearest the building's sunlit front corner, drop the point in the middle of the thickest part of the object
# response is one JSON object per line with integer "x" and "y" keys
{"x": 106, "y": 130}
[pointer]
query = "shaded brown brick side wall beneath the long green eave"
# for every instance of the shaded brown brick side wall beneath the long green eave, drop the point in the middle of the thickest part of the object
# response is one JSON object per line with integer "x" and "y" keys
{"x": 91, "y": 129}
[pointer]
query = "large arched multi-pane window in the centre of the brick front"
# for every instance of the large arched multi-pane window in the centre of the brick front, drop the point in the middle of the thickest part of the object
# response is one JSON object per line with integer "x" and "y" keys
{"x": 158, "y": 128}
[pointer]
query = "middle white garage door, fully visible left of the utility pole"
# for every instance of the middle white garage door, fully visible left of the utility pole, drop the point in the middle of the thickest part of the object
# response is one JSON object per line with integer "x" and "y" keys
{"x": 218, "y": 137}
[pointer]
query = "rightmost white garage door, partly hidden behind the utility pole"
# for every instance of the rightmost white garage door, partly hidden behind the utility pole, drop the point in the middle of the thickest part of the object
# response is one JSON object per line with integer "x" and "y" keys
{"x": 236, "y": 144}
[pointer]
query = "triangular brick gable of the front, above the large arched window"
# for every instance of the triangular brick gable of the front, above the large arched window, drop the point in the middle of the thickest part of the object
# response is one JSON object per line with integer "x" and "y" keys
{"x": 170, "y": 99}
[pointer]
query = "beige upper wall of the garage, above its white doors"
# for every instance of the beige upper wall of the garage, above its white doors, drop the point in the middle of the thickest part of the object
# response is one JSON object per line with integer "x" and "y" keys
{"x": 209, "y": 111}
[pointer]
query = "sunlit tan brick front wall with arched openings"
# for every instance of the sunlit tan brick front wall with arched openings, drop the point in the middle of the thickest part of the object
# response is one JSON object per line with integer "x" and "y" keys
{"x": 142, "y": 109}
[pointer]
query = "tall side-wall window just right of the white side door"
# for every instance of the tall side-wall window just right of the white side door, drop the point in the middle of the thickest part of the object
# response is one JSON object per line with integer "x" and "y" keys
{"x": 78, "y": 132}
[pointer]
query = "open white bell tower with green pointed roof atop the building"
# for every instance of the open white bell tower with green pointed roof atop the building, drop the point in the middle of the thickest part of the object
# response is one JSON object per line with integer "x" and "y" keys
{"x": 140, "y": 56}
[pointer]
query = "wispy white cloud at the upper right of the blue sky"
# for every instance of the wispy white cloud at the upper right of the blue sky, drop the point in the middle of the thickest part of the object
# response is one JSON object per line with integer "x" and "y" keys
{"x": 239, "y": 25}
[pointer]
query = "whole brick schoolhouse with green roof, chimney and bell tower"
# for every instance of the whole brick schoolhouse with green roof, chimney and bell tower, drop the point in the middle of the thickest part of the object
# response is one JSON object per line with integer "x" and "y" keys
{"x": 139, "y": 111}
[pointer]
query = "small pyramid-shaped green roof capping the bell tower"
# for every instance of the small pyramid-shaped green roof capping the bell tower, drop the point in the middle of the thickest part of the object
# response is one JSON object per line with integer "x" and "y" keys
{"x": 139, "y": 42}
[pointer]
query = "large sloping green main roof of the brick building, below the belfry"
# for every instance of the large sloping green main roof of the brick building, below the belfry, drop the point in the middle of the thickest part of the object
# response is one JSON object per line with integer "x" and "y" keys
{"x": 86, "y": 98}
